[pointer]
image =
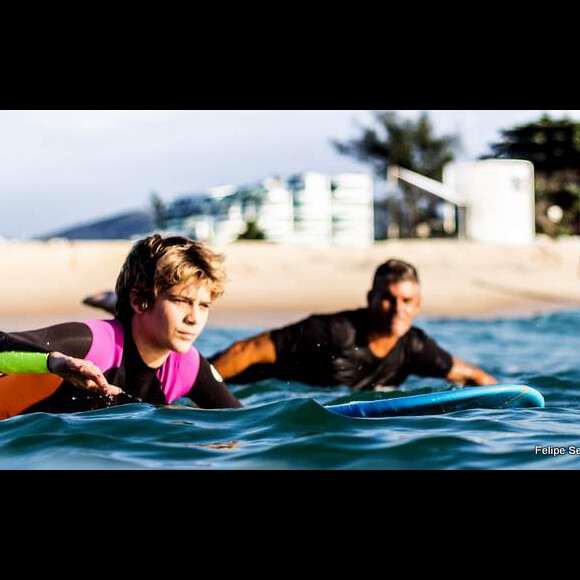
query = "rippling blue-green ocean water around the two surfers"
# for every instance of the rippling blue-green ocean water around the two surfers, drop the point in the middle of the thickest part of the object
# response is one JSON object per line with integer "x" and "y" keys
{"x": 284, "y": 425}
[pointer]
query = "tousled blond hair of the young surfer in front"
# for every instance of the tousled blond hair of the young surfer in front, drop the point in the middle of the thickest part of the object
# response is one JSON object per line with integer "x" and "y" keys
{"x": 156, "y": 264}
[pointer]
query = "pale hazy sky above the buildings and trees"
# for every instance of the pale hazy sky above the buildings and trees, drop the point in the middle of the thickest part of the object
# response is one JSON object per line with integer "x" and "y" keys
{"x": 59, "y": 169}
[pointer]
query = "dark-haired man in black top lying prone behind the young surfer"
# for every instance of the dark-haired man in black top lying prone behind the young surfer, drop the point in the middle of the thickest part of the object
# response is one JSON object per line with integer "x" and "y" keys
{"x": 365, "y": 349}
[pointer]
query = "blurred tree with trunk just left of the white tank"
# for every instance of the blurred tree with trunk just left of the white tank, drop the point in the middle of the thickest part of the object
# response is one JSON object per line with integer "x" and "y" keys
{"x": 406, "y": 143}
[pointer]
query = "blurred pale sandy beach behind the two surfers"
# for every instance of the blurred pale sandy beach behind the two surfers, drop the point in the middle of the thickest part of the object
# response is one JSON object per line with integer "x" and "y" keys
{"x": 45, "y": 282}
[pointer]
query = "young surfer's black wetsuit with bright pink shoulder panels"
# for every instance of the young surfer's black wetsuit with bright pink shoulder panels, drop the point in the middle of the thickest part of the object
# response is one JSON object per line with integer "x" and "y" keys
{"x": 111, "y": 347}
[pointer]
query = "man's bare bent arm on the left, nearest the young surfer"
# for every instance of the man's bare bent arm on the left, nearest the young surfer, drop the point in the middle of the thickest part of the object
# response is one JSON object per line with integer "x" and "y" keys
{"x": 245, "y": 353}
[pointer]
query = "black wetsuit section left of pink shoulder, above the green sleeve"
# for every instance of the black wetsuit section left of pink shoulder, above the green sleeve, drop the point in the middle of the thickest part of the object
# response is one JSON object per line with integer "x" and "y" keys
{"x": 73, "y": 339}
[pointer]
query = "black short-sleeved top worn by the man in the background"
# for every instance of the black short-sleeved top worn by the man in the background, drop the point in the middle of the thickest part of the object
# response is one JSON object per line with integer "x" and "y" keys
{"x": 331, "y": 350}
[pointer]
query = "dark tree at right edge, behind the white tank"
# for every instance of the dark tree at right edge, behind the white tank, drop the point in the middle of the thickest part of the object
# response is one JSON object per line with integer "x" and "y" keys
{"x": 553, "y": 146}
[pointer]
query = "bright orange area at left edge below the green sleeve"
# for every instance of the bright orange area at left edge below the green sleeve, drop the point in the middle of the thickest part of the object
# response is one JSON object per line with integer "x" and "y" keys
{"x": 18, "y": 392}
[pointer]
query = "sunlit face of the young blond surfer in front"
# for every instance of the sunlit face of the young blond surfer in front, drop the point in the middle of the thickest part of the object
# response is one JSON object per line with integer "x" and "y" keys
{"x": 178, "y": 316}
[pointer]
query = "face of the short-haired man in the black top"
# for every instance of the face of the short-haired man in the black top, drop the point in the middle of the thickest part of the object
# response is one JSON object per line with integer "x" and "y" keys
{"x": 393, "y": 307}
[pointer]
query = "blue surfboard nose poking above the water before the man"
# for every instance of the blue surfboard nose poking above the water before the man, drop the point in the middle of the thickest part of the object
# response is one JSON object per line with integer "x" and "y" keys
{"x": 496, "y": 397}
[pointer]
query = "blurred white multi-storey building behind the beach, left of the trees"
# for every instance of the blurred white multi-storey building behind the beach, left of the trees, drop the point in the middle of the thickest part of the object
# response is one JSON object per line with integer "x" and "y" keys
{"x": 309, "y": 208}
